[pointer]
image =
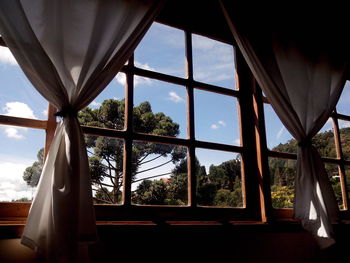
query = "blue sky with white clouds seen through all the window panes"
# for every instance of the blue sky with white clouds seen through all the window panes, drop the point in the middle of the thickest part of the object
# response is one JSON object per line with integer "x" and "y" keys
{"x": 163, "y": 50}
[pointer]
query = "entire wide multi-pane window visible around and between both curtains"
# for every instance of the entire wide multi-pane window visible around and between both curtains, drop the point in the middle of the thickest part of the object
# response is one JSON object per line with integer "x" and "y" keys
{"x": 181, "y": 133}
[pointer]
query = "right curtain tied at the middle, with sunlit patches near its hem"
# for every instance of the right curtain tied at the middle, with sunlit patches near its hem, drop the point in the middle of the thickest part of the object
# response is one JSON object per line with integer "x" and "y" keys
{"x": 298, "y": 58}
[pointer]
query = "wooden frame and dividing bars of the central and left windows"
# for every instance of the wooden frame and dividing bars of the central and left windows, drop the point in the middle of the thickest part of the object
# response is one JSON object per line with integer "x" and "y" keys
{"x": 252, "y": 185}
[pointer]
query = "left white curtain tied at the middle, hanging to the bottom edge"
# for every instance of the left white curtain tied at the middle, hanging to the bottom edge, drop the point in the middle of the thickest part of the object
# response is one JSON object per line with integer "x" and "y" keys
{"x": 70, "y": 51}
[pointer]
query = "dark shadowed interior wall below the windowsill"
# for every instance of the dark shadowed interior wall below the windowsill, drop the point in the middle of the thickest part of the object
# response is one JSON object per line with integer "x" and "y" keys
{"x": 196, "y": 244}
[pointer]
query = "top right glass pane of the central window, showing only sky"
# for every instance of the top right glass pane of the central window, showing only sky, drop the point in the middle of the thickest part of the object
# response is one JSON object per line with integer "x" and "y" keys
{"x": 213, "y": 62}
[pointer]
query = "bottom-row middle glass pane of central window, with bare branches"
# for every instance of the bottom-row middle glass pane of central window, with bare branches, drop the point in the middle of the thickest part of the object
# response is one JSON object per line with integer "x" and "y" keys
{"x": 159, "y": 174}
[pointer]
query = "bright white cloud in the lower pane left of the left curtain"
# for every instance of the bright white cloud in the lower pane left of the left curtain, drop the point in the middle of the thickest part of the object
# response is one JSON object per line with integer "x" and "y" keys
{"x": 12, "y": 185}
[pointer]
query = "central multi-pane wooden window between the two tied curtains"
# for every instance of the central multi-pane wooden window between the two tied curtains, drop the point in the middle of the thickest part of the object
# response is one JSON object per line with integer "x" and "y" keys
{"x": 179, "y": 130}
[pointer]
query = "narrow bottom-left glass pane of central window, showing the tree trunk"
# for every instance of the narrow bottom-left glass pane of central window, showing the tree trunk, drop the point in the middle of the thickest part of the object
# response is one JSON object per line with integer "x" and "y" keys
{"x": 106, "y": 168}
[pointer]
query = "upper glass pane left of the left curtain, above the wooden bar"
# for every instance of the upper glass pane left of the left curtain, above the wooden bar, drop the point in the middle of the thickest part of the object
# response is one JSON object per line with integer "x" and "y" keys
{"x": 17, "y": 95}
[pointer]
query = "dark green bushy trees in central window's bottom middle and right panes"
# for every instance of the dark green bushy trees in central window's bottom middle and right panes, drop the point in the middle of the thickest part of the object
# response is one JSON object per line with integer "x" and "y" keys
{"x": 221, "y": 187}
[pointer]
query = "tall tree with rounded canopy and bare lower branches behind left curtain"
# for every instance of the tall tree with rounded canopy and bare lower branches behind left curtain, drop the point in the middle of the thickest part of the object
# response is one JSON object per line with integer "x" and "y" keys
{"x": 106, "y": 154}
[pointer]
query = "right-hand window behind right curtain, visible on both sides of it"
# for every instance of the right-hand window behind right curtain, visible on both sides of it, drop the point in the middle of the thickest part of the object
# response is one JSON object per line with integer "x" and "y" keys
{"x": 331, "y": 142}
